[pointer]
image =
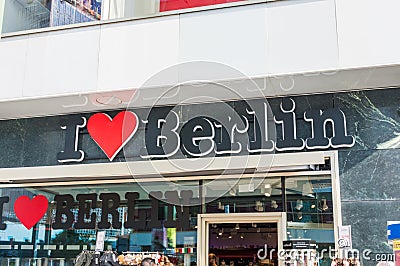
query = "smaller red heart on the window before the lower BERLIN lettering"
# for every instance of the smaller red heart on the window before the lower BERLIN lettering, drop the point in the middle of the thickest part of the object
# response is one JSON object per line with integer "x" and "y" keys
{"x": 30, "y": 211}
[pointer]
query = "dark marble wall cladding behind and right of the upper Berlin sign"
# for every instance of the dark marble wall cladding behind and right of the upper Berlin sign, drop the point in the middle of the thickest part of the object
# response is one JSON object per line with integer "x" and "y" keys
{"x": 369, "y": 174}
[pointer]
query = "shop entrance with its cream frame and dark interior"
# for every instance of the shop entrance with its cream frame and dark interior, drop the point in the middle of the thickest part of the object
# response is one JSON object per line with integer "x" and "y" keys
{"x": 240, "y": 238}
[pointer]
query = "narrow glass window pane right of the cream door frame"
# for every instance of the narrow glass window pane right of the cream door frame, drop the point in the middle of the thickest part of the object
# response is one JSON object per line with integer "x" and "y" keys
{"x": 310, "y": 211}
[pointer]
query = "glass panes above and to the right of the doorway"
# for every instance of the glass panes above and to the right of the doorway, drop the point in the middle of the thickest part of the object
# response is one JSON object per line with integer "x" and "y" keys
{"x": 307, "y": 201}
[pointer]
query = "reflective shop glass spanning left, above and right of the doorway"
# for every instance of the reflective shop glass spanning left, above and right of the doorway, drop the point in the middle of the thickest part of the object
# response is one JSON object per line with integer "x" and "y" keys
{"x": 307, "y": 200}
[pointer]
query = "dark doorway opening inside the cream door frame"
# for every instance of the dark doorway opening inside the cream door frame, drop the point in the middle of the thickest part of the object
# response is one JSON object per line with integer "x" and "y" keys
{"x": 243, "y": 244}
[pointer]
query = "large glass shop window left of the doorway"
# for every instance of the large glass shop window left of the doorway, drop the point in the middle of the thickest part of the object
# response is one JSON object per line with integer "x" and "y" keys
{"x": 140, "y": 225}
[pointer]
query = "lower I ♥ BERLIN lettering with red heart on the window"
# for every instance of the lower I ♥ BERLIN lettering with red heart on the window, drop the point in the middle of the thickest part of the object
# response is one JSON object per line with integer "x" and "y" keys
{"x": 31, "y": 211}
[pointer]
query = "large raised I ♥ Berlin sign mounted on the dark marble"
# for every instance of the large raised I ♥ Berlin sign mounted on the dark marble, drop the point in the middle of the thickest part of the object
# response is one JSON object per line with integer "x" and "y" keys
{"x": 165, "y": 134}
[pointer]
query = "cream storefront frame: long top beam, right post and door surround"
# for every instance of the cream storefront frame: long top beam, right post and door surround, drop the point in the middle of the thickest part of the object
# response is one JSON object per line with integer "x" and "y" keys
{"x": 282, "y": 164}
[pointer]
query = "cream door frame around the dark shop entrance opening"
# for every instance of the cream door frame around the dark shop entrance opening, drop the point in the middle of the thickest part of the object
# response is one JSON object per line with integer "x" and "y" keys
{"x": 204, "y": 220}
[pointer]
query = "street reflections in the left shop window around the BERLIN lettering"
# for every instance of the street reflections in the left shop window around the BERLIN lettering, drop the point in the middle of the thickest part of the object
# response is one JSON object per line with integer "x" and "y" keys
{"x": 61, "y": 246}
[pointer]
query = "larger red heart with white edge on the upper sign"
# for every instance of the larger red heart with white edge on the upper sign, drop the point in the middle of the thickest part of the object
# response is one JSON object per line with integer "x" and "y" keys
{"x": 112, "y": 134}
